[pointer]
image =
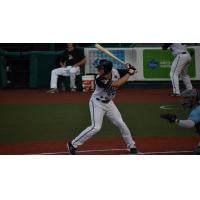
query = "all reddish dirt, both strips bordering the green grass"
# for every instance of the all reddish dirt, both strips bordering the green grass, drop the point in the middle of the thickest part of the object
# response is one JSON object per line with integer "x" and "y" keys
{"x": 148, "y": 145}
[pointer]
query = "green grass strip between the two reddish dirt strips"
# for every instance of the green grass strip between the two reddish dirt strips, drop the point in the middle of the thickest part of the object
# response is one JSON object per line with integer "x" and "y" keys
{"x": 37, "y": 122}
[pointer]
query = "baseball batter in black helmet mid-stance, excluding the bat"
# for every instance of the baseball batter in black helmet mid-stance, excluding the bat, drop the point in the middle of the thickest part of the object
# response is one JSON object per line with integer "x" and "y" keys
{"x": 101, "y": 103}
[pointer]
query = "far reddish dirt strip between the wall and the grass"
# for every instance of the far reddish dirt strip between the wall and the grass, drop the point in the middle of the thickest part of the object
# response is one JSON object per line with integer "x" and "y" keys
{"x": 125, "y": 96}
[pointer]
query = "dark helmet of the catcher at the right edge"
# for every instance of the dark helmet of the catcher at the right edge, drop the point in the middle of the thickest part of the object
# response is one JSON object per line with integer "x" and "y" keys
{"x": 190, "y": 98}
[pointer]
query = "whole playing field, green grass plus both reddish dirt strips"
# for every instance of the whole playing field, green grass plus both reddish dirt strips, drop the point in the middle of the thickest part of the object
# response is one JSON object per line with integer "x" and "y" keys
{"x": 34, "y": 122}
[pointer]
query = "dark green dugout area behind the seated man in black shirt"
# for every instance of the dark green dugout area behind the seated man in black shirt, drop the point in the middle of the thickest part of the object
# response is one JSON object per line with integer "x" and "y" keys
{"x": 31, "y": 69}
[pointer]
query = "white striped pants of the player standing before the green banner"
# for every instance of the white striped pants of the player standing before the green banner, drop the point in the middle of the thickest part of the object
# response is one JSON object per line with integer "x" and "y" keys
{"x": 180, "y": 68}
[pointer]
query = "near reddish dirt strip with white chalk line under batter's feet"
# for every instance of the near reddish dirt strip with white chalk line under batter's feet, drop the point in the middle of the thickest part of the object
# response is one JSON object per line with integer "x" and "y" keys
{"x": 147, "y": 145}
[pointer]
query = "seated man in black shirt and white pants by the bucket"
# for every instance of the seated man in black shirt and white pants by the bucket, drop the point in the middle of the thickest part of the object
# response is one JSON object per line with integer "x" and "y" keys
{"x": 70, "y": 62}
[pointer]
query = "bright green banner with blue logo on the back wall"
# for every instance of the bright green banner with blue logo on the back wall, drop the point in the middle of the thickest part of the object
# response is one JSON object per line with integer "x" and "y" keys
{"x": 157, "y": 64}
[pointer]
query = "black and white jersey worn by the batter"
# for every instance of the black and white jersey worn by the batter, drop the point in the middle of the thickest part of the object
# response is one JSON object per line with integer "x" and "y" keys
{"x": 104, "y": 91}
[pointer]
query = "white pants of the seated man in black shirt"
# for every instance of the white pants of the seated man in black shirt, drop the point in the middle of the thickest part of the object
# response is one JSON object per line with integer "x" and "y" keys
{"x": 64, "y": 71}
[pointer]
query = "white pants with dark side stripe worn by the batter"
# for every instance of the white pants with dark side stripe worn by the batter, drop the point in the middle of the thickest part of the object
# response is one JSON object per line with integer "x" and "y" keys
{"x": 97, "y": 112}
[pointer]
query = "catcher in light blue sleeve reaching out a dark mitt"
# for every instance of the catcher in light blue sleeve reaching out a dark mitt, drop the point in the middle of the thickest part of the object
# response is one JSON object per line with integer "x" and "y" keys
{"x": 189, "y": 99}
